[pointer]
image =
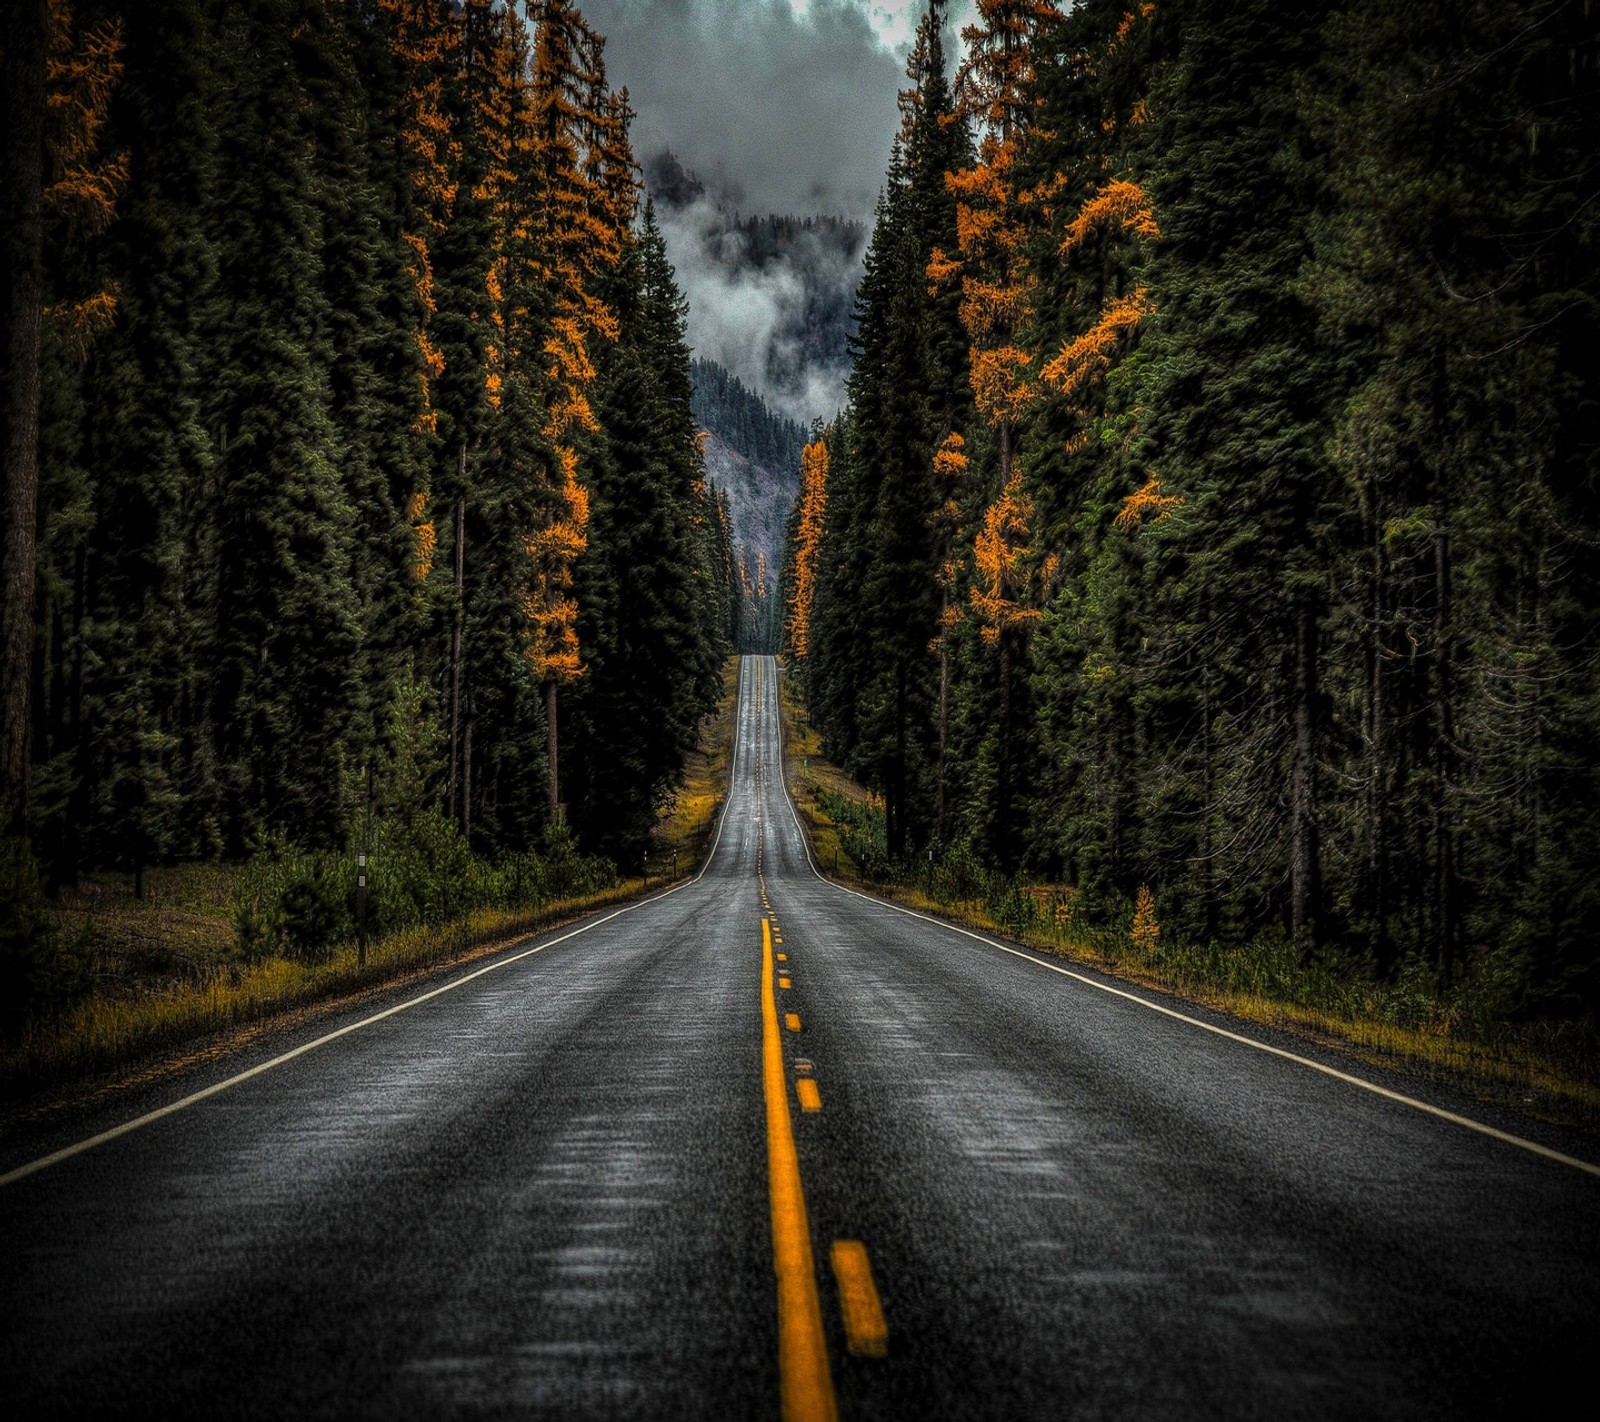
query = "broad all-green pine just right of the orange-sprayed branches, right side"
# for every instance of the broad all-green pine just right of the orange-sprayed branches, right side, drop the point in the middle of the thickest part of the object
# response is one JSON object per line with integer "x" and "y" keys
{"x": 1238, "y": 396}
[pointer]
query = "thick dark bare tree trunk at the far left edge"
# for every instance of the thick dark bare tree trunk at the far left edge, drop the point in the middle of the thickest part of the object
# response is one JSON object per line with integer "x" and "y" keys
{"x": 25, "y": 178}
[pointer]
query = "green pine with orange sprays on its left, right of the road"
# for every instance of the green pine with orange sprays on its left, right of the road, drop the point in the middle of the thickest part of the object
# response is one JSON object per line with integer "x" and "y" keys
{"x": 1092, "y": 231}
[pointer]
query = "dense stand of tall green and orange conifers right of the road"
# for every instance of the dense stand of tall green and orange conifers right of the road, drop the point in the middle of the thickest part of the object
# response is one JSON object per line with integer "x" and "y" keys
{"x": 1214, "y": 519}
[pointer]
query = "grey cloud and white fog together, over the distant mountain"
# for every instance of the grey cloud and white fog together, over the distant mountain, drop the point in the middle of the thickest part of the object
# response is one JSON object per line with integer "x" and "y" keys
{"x": 775, "y": 113}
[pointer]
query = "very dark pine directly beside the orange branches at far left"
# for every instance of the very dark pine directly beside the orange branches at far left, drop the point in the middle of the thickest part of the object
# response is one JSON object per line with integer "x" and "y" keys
{"x": 132, "y": 714}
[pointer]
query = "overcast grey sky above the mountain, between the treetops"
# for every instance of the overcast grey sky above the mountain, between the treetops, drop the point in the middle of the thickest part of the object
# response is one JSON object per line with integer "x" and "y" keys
{"x": 785, "y": 105}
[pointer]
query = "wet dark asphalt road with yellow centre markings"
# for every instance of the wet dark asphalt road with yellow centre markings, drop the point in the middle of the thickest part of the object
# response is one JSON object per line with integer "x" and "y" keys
{"x": 606, "y": 1173}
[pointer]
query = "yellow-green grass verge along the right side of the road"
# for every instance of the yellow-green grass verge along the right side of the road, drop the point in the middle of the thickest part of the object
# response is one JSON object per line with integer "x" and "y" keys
{"x": 1546, "y": 1071}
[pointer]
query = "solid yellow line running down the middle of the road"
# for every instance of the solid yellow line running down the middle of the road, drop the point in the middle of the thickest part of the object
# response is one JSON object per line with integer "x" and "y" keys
{"x": 804, "y": 1376}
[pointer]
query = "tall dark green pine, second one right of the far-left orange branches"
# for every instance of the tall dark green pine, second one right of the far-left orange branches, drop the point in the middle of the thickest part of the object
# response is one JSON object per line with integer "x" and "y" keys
{"x": 286, "y": 625}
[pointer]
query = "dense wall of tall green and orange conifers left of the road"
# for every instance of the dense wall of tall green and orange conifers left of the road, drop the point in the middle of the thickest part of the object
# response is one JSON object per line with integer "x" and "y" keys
{"x": 350, "y": 401}
